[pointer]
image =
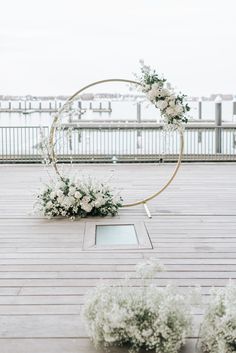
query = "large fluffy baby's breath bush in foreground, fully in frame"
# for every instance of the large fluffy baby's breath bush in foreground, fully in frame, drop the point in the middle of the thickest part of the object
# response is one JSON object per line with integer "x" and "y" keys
{"x": 149, "y": 317}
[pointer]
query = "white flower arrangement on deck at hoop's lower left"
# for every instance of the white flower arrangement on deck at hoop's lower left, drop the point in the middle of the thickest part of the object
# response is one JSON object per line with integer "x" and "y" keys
{"x": 67, "y": 198}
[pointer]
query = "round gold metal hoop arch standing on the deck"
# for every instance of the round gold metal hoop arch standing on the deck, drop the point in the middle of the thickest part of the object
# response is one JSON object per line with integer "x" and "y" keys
{"x": 53, "y": 157}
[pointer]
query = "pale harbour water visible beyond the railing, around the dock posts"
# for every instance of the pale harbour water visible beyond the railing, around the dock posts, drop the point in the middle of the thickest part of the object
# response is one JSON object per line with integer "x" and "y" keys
{"x": 121, "y": 111}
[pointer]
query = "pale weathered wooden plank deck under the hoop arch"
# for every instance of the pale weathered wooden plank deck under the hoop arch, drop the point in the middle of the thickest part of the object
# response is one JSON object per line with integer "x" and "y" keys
{"x": 44, "y": 273}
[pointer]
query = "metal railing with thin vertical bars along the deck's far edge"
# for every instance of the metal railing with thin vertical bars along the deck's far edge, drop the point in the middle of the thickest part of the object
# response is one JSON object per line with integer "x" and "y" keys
{"x": 120, "y": 143}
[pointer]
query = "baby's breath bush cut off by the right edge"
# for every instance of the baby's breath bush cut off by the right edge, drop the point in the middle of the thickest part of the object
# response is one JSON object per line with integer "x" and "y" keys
{"x": 218, "y": 331}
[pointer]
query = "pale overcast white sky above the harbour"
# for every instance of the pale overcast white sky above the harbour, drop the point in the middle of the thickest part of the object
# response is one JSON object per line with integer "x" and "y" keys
{"x": 55, "y": 47}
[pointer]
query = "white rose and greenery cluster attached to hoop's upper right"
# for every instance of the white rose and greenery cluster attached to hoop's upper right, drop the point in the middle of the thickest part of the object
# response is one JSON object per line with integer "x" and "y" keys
{"x": 172, "y": 106}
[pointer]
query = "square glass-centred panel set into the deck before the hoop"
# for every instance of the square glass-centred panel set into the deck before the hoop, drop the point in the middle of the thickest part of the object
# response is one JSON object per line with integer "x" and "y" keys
{"x": 109, "y": 235}
